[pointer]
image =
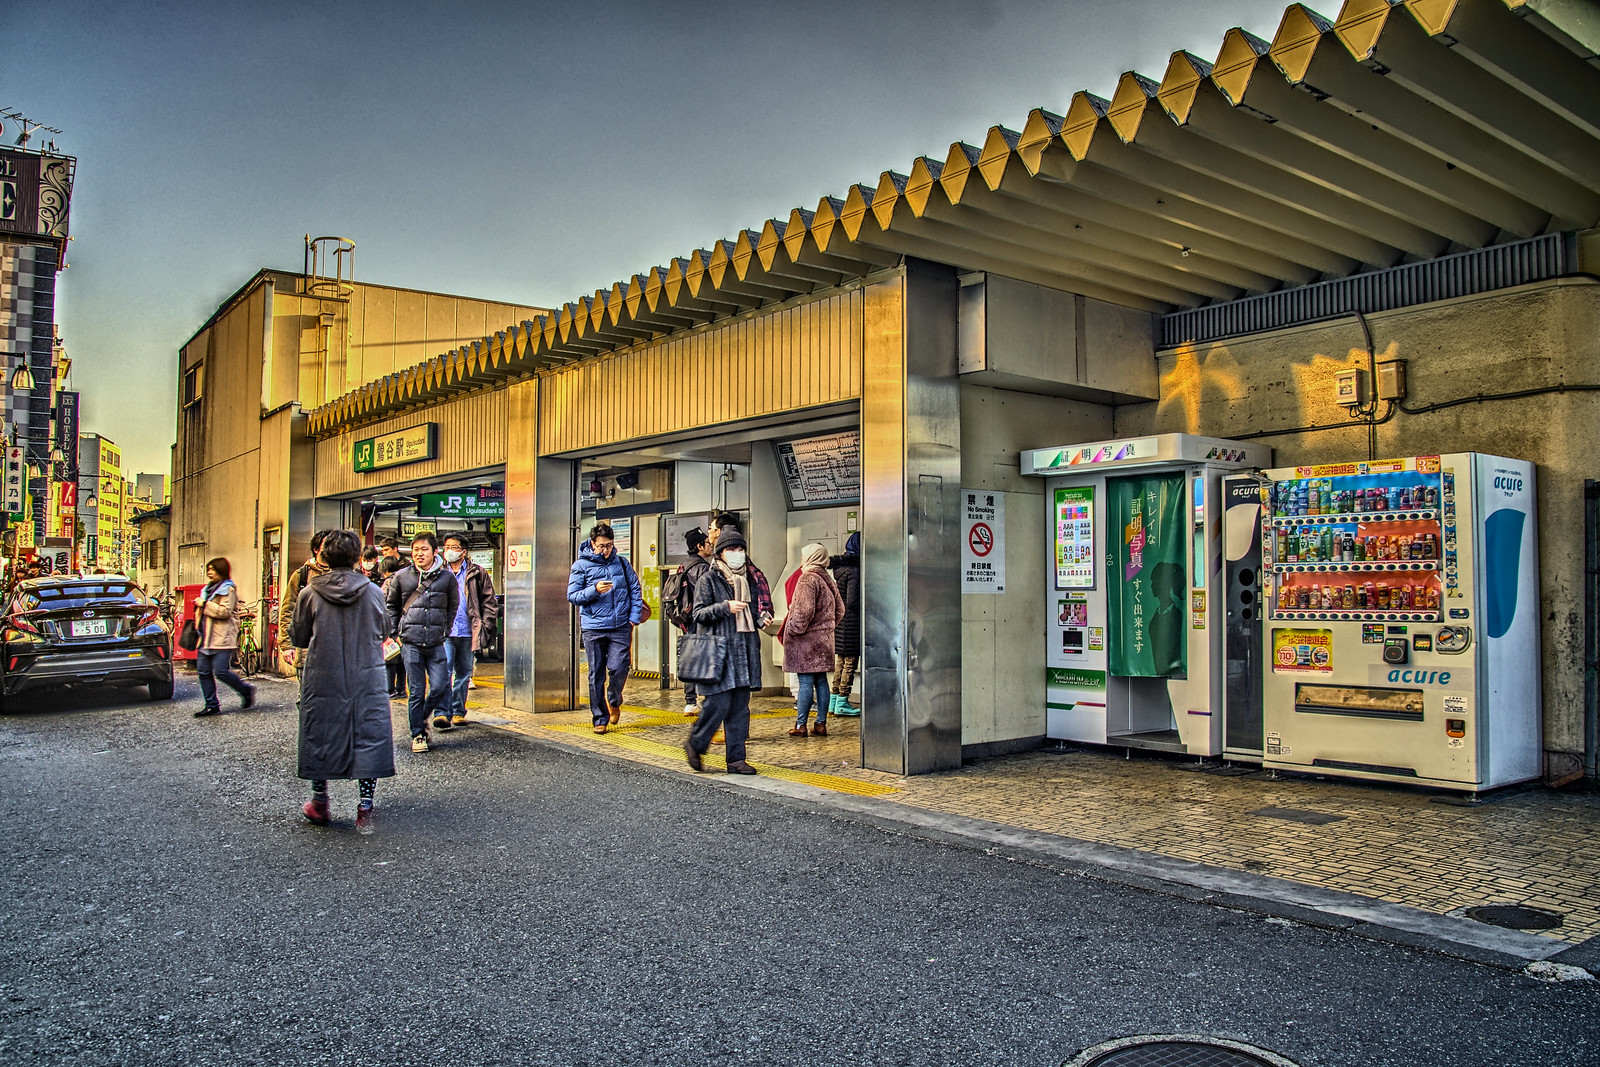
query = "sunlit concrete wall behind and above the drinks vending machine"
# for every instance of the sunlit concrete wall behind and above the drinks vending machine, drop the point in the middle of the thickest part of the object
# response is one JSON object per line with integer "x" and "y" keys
{"x": 1514, "y": 340}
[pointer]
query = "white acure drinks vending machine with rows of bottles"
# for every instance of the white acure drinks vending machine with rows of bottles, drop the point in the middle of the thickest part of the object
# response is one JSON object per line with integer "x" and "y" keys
{"x": 1402, "y": 641}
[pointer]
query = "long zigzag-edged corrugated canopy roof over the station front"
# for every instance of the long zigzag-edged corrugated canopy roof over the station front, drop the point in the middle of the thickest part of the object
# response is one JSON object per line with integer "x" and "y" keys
{"x": 1396, "y": 134}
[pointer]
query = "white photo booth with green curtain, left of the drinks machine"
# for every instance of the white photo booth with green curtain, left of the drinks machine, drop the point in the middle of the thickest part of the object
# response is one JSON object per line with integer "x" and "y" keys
{"x": 1135, "y": 589}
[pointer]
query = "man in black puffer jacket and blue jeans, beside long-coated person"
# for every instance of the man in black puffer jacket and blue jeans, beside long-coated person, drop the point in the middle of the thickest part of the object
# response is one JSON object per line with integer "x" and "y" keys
{"x": 423, "y": 602}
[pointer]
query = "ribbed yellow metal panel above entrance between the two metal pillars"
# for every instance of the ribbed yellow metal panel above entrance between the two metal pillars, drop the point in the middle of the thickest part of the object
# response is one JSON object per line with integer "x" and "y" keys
{"x": 783, "y": 361}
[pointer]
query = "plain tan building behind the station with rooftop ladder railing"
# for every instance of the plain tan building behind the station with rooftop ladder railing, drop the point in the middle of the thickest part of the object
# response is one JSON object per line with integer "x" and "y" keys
{"x": 286, "y": 343}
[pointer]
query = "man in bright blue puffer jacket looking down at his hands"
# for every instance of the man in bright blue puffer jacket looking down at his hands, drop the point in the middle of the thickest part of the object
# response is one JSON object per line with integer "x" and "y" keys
{"x": 610, "y": 604}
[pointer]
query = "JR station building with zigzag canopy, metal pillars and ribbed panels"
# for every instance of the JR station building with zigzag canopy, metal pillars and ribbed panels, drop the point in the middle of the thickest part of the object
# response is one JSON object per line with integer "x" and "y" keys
{"x": 1202, "y": 254}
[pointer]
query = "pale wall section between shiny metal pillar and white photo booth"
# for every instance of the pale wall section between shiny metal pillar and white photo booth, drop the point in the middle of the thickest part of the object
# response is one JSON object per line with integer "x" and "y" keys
{"x": 1004, "y": 636}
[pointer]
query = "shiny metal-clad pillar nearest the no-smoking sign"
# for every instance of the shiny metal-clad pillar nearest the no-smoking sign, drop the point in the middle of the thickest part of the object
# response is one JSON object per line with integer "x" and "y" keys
{"x": 911, "y": 466}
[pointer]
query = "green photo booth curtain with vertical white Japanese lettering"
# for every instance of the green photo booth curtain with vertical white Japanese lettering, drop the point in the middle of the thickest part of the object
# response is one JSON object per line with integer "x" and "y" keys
{"x": 1146, "y": 583}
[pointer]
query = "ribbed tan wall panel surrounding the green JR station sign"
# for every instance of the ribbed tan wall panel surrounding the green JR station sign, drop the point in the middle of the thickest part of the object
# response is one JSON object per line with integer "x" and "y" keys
{"x": 471, "y": 436}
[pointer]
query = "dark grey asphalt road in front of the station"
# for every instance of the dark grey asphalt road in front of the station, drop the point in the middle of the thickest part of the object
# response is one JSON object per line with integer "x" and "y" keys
{"x": 521, "y": 905}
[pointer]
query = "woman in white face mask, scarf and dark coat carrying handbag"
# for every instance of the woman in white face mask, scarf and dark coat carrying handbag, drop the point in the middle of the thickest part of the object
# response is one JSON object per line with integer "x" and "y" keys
{"x": 724, "y": 605}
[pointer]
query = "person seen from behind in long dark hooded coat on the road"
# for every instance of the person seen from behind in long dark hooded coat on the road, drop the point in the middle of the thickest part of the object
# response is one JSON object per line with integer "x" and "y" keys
{"x": 345, "y": 732}
